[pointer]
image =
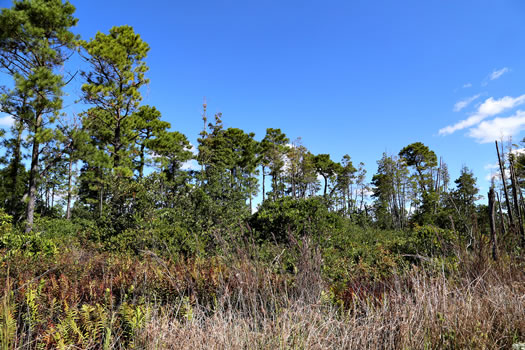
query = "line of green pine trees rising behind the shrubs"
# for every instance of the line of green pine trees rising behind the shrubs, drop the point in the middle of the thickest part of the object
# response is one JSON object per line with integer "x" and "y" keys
{"x": 131, "y": 165}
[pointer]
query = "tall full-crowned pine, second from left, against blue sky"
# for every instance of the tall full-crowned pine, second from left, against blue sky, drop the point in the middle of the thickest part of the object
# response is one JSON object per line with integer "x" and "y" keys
{"x": 112, "y": 87}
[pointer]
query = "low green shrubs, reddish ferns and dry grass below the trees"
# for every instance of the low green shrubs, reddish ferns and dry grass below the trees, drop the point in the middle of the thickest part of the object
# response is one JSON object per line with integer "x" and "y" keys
{"x": 349, "y": 288}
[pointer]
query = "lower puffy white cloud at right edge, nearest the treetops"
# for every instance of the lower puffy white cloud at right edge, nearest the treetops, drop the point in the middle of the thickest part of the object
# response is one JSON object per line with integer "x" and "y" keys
{"x": 498, "y": 128}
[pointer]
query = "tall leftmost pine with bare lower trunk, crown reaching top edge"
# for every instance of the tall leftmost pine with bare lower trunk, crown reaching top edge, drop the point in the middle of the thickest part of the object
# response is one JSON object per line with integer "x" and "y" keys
{"x": 34, "y": 41}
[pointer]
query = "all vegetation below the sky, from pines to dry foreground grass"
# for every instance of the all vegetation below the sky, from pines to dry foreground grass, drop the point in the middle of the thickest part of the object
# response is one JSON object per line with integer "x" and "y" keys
{"x": 106, "y": 233}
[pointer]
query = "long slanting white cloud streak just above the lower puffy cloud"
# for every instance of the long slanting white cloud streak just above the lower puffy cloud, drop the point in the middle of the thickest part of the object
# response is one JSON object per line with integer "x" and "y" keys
{"x": 489, "y": 108}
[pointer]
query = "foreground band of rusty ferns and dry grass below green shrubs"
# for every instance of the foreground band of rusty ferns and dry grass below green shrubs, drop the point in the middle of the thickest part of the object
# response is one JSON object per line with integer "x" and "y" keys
{"x": 92, "y": 300}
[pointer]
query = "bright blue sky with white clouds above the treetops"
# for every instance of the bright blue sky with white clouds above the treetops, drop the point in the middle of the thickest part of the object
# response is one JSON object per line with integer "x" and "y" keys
{"x": 356, "y": 77}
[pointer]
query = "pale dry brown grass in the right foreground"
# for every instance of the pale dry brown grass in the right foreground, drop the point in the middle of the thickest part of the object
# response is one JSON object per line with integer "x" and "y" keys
{"x": 421, "y": 311}
